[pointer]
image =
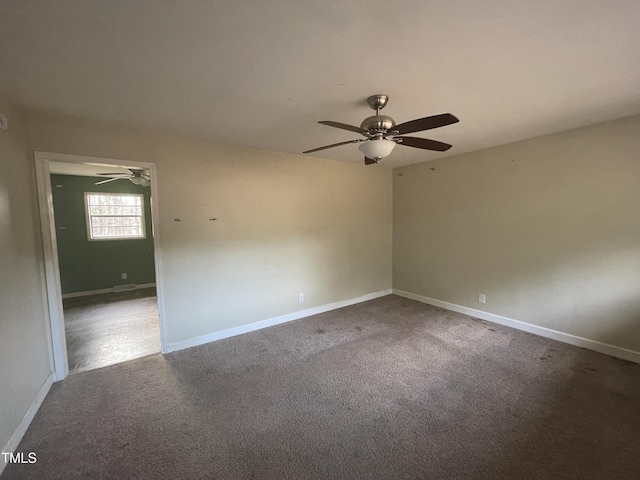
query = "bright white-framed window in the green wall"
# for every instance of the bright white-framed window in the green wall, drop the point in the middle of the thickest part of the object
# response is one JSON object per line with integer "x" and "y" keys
{"x": 114, "y": 216}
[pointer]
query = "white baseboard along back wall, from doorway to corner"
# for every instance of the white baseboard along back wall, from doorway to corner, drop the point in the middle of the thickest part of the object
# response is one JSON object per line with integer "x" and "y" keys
{"x": 232, "y": 332}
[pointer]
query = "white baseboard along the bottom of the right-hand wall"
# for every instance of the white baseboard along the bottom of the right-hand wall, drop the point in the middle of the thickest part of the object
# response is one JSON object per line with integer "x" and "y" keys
{"x": 587, "y": 343}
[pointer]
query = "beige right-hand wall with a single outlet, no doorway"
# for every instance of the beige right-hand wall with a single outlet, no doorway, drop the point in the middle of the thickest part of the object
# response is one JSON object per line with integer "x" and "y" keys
{"x": 548, "y": 229}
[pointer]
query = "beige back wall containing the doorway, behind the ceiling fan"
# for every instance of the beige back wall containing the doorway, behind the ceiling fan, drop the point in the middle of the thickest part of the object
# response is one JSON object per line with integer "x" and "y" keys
{"x": 286, "y": 224}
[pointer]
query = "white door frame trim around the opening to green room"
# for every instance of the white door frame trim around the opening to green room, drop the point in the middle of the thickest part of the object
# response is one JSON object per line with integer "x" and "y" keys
{"x": 50, "y": 249}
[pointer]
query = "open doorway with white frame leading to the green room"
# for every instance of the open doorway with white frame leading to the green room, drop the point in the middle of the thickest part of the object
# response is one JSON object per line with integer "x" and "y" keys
{"x": 101, "y": 260}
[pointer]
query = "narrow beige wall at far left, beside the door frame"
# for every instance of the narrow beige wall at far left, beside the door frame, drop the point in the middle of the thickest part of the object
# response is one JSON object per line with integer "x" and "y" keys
{"x": 24, "y": 335}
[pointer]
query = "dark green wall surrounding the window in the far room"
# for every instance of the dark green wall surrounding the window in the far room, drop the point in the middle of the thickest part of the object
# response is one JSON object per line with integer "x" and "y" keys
{"x": 95, "y": 265}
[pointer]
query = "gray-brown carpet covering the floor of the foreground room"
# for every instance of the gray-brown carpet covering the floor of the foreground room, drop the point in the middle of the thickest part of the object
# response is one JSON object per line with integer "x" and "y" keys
{"x": 386, "y": 389}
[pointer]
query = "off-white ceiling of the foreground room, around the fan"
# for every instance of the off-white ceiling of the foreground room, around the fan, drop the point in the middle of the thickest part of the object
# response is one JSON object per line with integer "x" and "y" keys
{"x": 261, "y": 73}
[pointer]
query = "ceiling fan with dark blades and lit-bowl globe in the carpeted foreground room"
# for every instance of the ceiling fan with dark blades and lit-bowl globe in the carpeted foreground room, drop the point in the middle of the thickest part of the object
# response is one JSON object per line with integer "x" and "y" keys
{"x": 382, "y": 134}
